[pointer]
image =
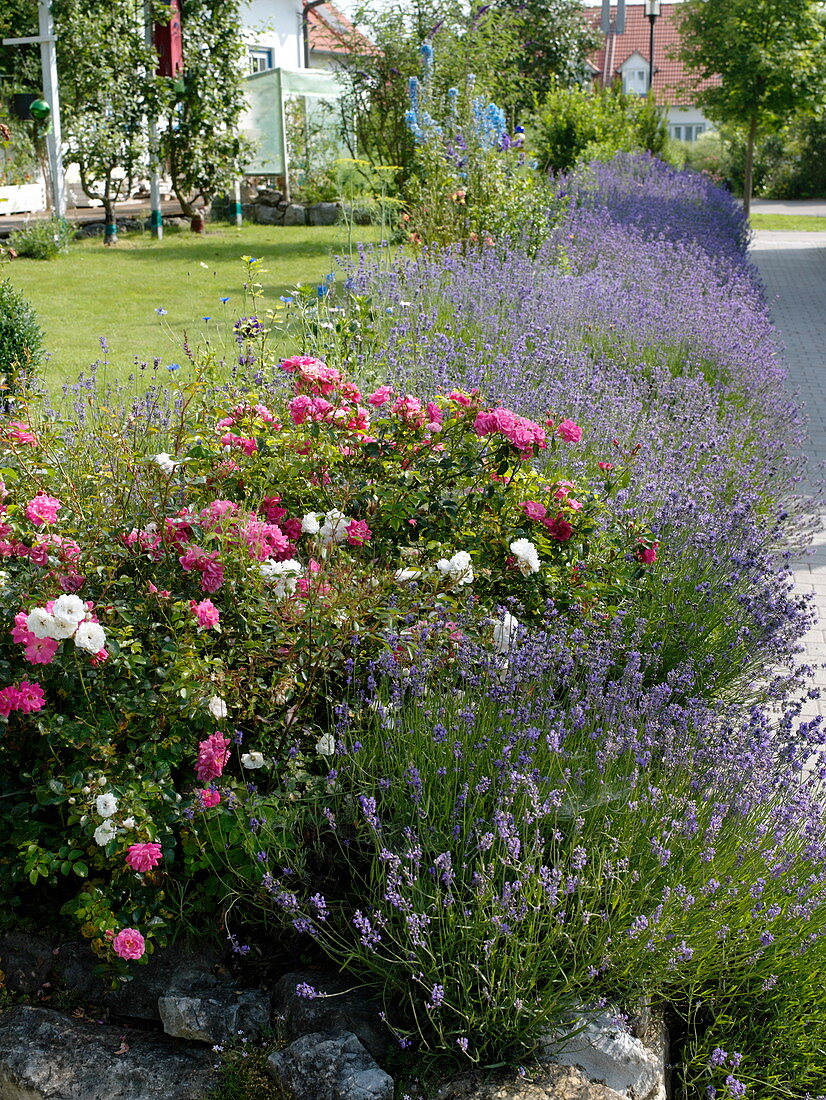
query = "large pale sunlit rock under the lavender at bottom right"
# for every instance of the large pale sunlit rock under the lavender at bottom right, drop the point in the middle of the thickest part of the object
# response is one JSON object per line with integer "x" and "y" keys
{"x": 609, "y": 1053}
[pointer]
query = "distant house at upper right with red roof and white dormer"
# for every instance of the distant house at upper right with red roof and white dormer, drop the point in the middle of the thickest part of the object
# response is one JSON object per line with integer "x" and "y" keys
{"x": 626, "y": 58}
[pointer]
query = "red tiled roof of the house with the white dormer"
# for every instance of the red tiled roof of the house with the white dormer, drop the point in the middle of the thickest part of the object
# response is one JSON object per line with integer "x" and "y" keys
{"x": 674, "y": 86}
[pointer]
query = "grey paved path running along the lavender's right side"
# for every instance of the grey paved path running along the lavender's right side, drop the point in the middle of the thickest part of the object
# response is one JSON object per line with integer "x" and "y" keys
{"x": 794, "y": 269}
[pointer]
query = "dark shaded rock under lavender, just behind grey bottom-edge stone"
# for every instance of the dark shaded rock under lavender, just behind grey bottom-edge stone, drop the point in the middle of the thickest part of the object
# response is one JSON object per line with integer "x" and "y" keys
{"x": 339, "y": 1007}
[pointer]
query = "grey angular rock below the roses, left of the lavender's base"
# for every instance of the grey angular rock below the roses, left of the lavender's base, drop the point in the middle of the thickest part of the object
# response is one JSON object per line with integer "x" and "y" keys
{"x": 217, "y": 1017}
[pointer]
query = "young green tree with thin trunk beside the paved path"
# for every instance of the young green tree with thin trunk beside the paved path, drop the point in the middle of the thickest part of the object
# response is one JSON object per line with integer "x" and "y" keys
{"x": 770, "y": 57}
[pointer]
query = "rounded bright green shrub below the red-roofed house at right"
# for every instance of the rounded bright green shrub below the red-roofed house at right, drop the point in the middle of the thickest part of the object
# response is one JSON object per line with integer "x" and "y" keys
{"x": 586, "y": 124}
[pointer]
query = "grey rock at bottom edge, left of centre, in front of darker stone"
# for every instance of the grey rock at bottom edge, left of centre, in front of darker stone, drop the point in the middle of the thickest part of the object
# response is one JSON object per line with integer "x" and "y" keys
{"x": 331, "y": 1066}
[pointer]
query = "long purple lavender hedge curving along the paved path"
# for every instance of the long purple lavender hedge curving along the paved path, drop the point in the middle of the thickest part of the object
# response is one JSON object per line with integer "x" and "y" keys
{"x": 624, "y": 812}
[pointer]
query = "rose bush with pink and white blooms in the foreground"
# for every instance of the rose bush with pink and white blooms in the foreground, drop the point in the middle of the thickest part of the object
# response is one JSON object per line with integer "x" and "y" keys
{"x": 224, "y": 592}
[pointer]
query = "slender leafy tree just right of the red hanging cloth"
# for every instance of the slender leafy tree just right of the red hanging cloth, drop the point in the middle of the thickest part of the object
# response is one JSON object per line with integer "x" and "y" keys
{"x": 201, "y": 142}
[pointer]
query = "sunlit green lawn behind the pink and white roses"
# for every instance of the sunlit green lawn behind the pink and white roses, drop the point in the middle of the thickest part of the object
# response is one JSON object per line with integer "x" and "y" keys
{"x": 92, "y": 292}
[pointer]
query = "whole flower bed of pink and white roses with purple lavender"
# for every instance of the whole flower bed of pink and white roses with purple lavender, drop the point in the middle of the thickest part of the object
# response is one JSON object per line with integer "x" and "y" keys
{"x": 461, "y": 644}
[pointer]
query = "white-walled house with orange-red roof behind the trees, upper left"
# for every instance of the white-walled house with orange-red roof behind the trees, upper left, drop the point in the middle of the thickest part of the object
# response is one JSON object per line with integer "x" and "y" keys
{"x": 295, "y": 35}
